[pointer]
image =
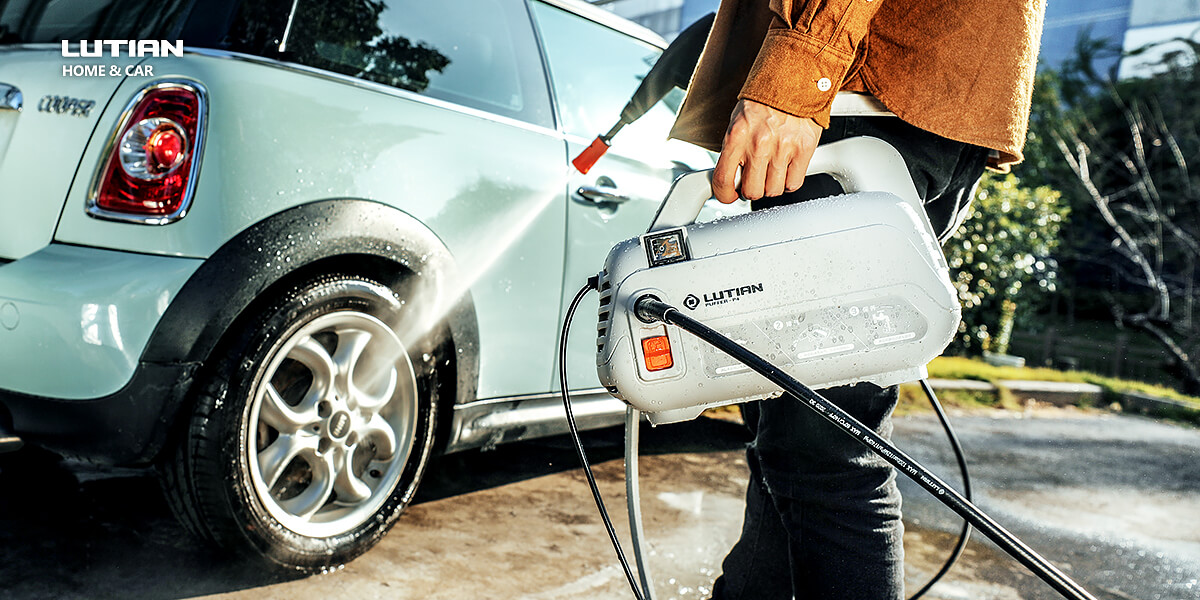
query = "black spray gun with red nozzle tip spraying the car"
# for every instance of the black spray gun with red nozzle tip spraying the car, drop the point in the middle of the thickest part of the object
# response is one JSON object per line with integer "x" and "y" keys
{"x": 673, "y": 70}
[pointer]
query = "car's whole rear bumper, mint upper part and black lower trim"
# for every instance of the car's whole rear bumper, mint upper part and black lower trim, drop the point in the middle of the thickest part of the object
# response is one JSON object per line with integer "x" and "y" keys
{"x": 74, "y": 325}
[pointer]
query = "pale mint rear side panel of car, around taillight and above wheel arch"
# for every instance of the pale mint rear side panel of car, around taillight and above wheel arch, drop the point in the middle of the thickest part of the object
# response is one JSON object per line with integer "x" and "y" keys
{"x": 281, "y": 137}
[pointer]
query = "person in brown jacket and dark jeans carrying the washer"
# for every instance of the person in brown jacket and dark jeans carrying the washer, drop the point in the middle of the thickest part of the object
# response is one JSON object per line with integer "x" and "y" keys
{"x": 823, "y": 518}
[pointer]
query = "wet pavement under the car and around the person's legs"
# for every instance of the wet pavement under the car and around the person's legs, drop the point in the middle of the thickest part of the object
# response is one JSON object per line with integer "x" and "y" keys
{"x": 1115, "y": 501}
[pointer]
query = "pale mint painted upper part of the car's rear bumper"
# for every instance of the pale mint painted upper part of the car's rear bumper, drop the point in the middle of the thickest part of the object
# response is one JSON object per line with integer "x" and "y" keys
{"x": 74, "y": 321}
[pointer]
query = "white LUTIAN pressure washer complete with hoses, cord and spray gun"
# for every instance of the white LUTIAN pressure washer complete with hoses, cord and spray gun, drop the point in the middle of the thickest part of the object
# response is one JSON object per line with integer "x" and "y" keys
{"x": 695, "y": 316}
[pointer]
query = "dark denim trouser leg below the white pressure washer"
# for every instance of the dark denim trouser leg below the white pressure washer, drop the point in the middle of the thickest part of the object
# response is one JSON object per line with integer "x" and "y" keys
{"x": 823, "y": 517}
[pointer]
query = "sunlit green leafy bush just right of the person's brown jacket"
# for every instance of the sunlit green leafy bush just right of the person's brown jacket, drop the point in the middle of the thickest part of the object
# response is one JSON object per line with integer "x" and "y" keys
{"x": 1004, "y": 257}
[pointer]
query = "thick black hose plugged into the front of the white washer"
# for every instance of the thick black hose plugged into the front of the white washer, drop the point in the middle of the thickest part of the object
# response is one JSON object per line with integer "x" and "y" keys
{"x": 651, "y": 310}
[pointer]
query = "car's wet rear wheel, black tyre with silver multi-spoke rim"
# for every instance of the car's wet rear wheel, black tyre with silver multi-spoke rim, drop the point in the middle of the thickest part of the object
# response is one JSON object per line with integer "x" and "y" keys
{"x": 310, "y": 429}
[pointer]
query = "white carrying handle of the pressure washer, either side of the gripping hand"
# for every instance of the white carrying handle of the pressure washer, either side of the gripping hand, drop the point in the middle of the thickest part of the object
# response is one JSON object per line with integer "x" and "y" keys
{"x": 860, "y": 165}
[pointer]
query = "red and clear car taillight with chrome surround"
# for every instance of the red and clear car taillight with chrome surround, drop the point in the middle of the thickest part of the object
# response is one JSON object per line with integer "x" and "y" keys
{"x": 151, "y": 165}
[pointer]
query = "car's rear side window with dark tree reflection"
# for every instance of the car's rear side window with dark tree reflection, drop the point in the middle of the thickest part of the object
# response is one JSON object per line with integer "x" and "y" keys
{"x": 478, "y": 53}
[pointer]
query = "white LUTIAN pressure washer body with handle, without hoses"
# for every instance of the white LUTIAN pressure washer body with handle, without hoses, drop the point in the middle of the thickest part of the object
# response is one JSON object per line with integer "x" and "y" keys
{"x": 836, "y": 291}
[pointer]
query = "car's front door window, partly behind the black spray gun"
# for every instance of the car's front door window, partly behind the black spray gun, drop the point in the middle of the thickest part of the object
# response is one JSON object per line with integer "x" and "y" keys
{"x": 595, "y": 71}
